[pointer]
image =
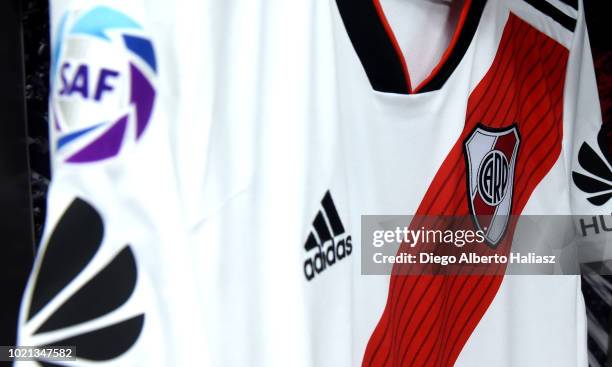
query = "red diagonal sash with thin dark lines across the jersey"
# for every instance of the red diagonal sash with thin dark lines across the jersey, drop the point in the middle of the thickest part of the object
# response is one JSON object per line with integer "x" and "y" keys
{"x": 428, "y": 319}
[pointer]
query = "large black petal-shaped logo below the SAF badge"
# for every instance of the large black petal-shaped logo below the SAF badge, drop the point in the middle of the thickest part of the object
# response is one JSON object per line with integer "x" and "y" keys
{"x": 74, "y": 318}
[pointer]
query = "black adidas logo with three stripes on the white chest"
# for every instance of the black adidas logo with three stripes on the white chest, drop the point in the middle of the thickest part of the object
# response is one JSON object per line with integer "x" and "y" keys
{"x": 328, "y": 243}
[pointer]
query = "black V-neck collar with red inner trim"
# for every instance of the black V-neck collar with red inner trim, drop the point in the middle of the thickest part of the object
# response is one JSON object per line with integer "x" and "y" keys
{"x": 380, "y": 54}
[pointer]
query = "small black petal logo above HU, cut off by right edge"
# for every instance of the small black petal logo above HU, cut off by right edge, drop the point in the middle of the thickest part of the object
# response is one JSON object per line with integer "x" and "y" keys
{"x": 599, "y": 183}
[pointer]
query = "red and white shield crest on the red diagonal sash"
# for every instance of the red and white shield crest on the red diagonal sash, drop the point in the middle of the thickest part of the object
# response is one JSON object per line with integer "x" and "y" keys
{"x": 490, "y": 156}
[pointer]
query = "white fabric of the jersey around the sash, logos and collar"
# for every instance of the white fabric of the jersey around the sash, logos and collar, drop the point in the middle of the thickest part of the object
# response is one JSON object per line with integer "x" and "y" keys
{"x": 262, "y": 106}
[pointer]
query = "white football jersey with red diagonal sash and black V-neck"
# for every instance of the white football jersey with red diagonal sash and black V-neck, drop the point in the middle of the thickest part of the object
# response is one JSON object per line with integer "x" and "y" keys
{"x": 211, "y": 170}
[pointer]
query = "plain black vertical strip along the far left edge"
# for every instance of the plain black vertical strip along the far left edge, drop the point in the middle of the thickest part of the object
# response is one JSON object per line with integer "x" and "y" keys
{"x": 17, "y": 239}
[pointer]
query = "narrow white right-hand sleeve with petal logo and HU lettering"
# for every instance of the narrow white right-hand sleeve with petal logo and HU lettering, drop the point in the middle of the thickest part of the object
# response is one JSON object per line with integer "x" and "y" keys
{"x": 590, "y": 158}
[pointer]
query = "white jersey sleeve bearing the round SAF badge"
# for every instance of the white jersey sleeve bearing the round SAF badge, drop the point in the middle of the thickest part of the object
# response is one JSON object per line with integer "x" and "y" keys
{"x": 113, "y": 274}
